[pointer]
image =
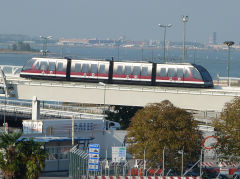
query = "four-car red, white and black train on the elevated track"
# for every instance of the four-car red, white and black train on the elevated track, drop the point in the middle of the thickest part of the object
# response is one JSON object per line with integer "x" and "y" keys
{"x": 115, "y": 72}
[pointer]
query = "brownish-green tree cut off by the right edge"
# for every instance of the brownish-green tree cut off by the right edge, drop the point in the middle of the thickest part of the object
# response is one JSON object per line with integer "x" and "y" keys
{"x": 227, "y": 128}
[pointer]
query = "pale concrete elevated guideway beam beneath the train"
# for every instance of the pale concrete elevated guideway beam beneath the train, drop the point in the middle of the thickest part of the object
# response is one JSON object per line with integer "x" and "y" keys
{"x": 130, "y": 95}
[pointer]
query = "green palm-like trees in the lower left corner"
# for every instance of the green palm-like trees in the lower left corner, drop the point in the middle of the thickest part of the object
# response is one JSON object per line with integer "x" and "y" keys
{"x": 20, "y": 158}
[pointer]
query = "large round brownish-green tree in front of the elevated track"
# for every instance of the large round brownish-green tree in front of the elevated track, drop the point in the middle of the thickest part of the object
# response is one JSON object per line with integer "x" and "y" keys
{"x": 163, "y": 126}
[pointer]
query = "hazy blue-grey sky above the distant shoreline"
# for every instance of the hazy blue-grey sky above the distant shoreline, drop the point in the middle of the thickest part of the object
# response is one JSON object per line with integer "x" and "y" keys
{"x": 134, "y": 19}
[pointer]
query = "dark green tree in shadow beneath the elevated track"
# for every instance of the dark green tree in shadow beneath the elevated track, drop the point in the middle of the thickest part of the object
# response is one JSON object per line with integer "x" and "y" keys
{"x": 122, "y": 115}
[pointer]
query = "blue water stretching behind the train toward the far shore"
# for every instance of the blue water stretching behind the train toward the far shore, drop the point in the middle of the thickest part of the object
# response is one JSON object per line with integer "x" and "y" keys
{"x": 214, "y": 61}
